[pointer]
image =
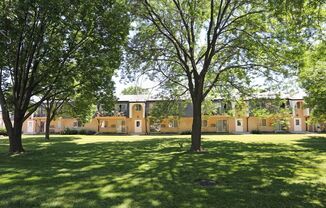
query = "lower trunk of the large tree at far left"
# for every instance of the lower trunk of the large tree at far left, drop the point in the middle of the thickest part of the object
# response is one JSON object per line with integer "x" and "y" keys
{"x": 15, "y": 137}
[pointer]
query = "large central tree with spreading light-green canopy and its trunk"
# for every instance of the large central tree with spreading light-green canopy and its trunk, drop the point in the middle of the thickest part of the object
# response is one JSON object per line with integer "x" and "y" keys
{"x": 209, "y": 44}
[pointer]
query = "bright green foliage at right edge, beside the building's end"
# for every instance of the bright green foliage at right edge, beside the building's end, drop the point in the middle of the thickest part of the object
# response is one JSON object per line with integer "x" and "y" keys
{"x": 313, "y": 80}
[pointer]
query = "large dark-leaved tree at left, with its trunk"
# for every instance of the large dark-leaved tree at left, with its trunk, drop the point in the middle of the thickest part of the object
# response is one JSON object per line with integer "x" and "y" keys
{"x": 44, "y": 42}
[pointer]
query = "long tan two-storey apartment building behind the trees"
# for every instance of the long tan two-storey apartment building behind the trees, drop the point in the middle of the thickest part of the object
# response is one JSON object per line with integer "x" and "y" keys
{"x": 132, "y": 116}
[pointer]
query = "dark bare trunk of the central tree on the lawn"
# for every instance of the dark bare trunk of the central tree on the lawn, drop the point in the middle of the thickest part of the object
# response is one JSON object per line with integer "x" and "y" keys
{"x": 196, "y": 127}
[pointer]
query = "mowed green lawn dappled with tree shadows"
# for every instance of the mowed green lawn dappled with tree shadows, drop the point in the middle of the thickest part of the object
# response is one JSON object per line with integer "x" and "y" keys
{"x": 156, "y": 171}
